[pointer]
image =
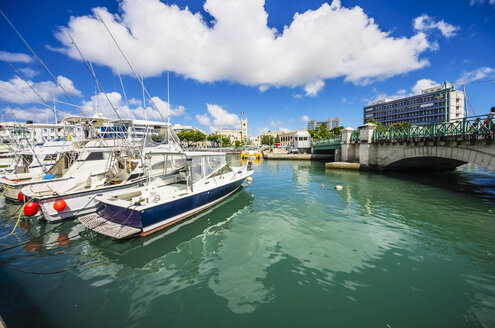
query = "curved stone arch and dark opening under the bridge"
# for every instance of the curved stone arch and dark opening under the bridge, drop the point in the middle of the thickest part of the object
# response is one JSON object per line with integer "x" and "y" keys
{"x": 434, "y": 158}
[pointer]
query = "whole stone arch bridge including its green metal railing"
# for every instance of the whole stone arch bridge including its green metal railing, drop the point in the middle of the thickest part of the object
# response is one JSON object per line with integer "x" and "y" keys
{"x": 436, "y": 146}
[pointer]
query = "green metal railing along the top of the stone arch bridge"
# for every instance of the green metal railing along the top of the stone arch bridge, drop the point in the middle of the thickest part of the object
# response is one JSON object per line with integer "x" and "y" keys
{"x": 475, "y": 125}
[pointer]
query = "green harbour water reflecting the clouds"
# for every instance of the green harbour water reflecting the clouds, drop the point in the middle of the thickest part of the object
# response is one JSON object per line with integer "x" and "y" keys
{"x": 389, "y": 250}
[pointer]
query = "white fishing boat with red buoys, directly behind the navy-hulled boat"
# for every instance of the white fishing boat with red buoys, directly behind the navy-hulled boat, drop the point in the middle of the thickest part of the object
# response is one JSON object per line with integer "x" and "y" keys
{"x": 98, "y": 171}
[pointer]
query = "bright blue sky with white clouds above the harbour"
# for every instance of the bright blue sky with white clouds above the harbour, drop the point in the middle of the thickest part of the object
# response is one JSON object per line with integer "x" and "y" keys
{"x": 280, "y": 62}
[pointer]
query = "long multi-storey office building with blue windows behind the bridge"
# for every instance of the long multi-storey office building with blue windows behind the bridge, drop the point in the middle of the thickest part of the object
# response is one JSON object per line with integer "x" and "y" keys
{"x": 437, "y": 104}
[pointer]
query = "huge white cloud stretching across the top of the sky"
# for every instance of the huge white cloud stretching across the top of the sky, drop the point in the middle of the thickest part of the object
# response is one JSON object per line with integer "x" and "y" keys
{"x": 329, "y": 42}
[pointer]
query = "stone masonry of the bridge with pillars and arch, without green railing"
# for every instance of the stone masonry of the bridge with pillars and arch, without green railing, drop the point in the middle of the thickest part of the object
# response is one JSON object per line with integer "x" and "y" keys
{"x": 444, "y": 152}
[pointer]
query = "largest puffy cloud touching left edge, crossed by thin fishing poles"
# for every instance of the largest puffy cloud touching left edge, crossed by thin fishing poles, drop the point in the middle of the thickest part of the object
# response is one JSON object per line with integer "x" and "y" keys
{"x": 17, "y": 91}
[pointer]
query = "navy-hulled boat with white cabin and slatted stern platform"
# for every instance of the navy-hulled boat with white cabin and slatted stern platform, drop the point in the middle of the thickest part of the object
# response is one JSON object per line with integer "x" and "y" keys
{"x": 204, "y": 181}
